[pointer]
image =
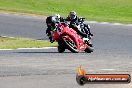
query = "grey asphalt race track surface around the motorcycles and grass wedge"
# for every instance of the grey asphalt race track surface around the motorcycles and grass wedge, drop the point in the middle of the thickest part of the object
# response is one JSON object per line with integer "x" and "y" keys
{"x": 46, "y": 68}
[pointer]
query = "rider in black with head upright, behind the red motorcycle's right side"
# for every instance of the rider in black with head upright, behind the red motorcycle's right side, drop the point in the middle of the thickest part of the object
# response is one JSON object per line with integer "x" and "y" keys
{"x": 74, "y": 22}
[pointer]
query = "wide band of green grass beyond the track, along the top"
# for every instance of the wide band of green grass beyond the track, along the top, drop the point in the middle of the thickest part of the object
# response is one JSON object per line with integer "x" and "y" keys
{"x": 99, "y": 10}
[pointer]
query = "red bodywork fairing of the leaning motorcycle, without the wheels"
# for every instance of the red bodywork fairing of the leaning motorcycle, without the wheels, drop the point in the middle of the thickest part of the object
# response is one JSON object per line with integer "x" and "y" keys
{"x": 64, "y": 32}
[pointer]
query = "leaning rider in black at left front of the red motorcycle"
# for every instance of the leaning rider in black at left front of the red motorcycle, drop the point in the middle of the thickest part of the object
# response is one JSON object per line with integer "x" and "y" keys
{"x": 52, "y": 22}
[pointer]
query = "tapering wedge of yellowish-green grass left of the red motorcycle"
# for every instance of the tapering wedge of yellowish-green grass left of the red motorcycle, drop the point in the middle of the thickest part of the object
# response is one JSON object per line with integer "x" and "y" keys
{"x": 14, "y": 43}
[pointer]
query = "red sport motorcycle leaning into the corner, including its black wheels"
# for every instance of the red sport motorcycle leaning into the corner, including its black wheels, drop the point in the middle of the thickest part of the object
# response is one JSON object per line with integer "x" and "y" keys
{"x": 68, "y": 38}
